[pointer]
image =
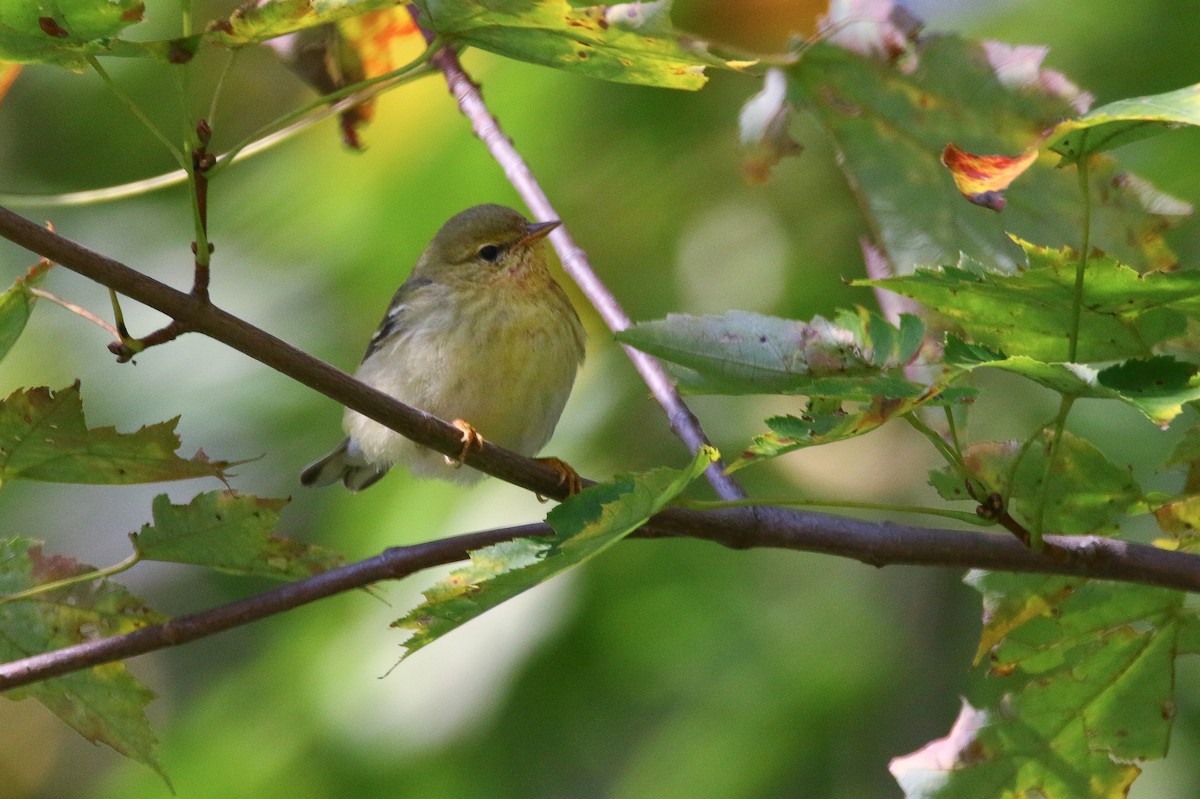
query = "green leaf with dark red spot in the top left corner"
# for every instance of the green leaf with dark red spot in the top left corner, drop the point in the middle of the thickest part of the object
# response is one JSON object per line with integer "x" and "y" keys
{"x": 67, "y": 32}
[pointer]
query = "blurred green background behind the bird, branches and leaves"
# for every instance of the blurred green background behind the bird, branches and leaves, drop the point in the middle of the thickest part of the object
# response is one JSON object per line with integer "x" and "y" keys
{"x": 667, "y": 669}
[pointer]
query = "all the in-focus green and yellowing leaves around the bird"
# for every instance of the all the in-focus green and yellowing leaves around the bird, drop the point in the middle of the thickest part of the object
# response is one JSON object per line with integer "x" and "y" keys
{"x": 1057, "y": 272}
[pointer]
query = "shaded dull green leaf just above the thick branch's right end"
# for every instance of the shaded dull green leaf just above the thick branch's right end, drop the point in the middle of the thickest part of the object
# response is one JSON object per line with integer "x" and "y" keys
{"x": 1087, "y": 494}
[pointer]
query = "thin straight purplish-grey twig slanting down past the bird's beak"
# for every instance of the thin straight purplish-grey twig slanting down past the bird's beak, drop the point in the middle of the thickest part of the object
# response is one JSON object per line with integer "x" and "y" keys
{"x": 575, "y": 262}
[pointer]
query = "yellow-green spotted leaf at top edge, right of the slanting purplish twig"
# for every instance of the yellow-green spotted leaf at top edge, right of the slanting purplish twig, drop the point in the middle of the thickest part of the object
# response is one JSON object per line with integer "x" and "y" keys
{"x": 629, "y": 43}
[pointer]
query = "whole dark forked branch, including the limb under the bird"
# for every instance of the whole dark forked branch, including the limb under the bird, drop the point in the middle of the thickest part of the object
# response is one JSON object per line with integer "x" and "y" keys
{"x": 873, "y": 543}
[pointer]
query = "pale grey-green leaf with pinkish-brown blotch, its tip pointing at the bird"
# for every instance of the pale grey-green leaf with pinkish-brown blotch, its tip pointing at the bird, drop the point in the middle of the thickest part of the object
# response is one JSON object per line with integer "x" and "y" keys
{"x": 859, "y": 357}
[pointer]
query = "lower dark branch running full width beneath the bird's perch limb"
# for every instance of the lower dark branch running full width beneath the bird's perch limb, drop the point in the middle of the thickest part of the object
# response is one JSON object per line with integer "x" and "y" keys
{"x": 872, "y": 543}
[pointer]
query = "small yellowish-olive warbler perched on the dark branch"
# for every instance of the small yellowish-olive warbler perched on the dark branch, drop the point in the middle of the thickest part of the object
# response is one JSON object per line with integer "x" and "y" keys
{"x": 479, "y": 334}
